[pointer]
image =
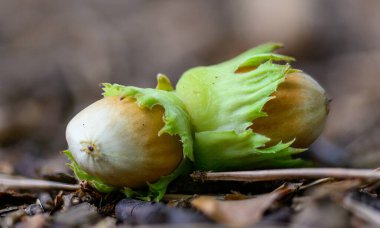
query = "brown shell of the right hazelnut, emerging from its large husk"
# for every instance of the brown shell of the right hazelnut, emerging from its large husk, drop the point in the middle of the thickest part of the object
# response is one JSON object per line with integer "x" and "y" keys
{"x": 298, "y": 111}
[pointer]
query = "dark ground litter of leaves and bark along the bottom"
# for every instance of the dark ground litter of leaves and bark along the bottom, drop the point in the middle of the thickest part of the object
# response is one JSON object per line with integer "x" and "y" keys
{"x": 325, "y": 202}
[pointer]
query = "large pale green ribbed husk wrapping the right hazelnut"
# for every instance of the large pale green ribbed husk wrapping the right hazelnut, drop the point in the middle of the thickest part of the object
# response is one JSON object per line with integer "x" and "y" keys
{"x": 223, "y": 103}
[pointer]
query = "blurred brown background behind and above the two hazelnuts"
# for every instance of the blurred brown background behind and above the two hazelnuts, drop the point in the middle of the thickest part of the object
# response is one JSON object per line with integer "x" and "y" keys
{"x": 54, "y": 55}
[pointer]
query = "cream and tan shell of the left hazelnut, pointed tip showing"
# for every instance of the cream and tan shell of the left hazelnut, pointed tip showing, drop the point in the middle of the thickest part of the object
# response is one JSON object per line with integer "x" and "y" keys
{"x": 117, "y": 141}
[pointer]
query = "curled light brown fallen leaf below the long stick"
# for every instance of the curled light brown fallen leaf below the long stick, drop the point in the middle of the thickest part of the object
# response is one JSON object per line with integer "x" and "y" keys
{"x": 240, "y": 212}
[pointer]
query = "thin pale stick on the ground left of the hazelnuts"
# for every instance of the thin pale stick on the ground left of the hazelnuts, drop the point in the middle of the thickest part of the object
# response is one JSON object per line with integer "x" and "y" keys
{"x": 24, "y": 183}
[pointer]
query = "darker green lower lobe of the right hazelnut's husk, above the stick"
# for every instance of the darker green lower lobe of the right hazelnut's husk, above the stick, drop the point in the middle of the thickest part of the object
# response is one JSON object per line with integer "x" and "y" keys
{"x": 241, "y": 151}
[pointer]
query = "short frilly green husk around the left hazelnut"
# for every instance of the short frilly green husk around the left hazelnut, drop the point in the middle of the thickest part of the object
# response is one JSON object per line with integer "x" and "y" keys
{"x": 176, "y": 122}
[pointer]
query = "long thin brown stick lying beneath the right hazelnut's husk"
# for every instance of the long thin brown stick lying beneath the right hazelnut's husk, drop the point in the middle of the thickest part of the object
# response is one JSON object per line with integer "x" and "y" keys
{"x": 287, "y": 174}
